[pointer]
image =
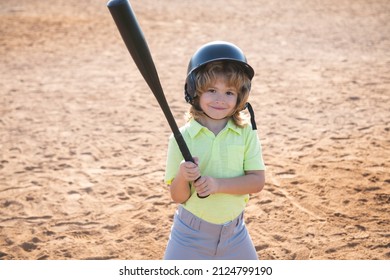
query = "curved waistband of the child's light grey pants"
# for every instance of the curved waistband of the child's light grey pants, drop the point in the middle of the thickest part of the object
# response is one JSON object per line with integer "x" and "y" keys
{"x": 199, "y": 224}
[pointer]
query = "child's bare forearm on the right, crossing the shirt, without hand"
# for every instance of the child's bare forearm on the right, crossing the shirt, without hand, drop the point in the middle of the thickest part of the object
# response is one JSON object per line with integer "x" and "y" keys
{"x": 251, "y": 182}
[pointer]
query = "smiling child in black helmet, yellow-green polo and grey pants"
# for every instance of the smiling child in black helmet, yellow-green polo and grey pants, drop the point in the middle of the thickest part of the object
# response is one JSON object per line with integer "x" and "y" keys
{"x": 213, "y": 191}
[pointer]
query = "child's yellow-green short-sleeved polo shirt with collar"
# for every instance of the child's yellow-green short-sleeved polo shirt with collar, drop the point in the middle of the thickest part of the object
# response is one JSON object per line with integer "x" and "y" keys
{"x": 226, "y": 155}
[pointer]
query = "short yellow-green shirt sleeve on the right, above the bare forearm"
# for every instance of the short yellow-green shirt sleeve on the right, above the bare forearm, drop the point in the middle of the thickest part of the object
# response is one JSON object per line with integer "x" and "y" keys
{"x": 253, "y": 158}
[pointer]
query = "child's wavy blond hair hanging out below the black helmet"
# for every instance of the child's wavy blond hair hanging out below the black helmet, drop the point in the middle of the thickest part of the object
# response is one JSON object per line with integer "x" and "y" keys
{"x": 235, "y": 78}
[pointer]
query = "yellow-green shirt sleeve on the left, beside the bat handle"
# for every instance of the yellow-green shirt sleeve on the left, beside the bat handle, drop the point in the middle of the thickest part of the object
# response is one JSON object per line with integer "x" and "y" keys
{"x": 174, "y": 158}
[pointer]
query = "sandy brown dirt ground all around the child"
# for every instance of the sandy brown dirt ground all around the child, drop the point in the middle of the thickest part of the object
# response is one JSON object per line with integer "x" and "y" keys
{"x": 83, "y": 142}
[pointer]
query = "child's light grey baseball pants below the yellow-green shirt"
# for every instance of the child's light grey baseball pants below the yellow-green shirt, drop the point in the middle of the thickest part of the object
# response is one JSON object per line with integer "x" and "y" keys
{"x": 195, "y": 239}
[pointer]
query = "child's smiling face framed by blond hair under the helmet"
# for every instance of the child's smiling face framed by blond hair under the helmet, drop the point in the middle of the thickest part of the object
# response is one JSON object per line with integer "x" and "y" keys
{"x": 219, "y": 100}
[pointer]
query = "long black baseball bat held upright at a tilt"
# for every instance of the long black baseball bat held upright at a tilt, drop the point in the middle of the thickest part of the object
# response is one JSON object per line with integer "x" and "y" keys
{"x": 135, "y": 42}
